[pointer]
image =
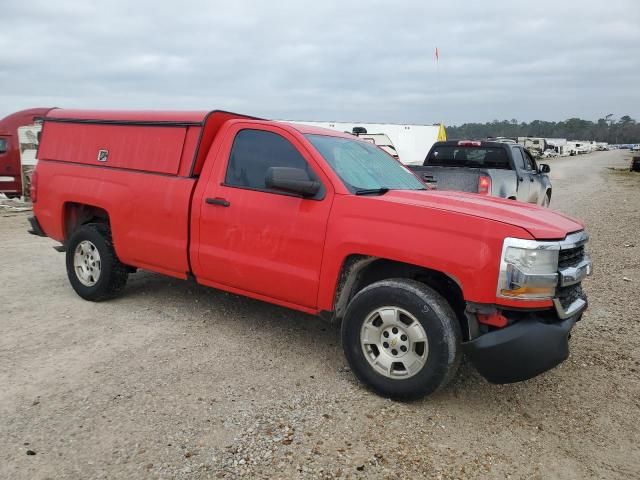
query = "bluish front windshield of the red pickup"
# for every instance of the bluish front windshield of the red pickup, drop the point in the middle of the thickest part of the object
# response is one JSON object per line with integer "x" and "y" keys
{"x": 363, "y": 167}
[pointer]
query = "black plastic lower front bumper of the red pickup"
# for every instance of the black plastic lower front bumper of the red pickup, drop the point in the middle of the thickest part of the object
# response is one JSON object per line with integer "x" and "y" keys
{"x": 520, "y": 351}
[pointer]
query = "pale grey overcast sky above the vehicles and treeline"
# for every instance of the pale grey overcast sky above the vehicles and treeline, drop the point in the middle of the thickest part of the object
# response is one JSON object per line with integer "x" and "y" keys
{"x": 327, "y": 60}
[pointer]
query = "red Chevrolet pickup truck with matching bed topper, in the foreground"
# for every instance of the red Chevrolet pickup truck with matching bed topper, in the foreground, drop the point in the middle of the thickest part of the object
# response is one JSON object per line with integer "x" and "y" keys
{"x": 320, "y": 222}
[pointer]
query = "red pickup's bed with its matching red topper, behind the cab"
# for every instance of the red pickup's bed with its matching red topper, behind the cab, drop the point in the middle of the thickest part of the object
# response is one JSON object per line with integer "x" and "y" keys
{"x": 140, "y": 167}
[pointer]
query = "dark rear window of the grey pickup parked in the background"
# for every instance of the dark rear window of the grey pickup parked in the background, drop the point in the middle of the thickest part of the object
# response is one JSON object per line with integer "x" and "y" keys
{"x": 472, "y": 157}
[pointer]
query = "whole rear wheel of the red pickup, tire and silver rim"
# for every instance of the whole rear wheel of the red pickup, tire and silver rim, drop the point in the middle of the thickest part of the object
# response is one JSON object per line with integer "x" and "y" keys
{"x": 93, "y": 268}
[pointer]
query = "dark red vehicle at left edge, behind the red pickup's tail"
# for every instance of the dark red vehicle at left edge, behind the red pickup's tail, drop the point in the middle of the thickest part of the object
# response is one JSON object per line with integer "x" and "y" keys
{"x": 10, "y": 175}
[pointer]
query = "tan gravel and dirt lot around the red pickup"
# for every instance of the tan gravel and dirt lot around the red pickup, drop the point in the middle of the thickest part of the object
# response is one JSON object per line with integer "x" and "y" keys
{"x": 174, "y": 380}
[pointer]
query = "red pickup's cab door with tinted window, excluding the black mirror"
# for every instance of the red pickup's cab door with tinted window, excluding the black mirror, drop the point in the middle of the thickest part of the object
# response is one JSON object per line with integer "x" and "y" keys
{"x": 258, "y": 240}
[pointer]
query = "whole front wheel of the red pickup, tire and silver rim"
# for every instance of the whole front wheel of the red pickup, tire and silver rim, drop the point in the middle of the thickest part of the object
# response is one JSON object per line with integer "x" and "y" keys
{"x": 401, "y": 338}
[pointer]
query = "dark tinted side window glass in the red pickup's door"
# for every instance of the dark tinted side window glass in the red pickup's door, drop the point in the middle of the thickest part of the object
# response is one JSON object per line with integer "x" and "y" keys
{"x": 253, "y": 152}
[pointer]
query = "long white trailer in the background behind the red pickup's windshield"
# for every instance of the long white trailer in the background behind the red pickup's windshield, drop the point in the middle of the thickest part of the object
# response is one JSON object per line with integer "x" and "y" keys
{"x": 412, "y": 142}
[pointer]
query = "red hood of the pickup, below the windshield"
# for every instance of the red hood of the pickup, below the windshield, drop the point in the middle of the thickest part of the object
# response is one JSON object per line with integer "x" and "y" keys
{"x": 541, "y": 223}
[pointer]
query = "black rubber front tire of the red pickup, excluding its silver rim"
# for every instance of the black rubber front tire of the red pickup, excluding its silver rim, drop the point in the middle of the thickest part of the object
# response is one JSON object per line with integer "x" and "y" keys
{"x": 436, "y": 318}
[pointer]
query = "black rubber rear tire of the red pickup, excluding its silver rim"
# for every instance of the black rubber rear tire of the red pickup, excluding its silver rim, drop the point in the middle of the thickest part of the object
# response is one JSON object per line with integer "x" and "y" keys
{"x": 113, "y": 274}
